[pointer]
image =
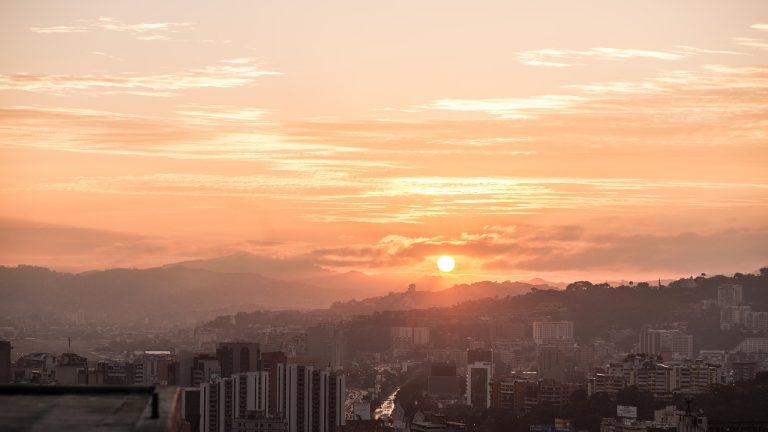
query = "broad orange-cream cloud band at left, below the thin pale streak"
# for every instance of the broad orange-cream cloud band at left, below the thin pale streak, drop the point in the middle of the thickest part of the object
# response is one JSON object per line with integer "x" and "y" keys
{"x": 199, "y": 132}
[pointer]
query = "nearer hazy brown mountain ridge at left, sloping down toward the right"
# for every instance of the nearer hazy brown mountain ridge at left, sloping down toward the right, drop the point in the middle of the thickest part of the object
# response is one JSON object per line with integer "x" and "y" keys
{"x": 127, "y": 294}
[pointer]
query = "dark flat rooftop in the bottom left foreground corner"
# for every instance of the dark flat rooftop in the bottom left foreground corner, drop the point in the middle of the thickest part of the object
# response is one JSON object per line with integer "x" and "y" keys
{"x": 88, "y": 408}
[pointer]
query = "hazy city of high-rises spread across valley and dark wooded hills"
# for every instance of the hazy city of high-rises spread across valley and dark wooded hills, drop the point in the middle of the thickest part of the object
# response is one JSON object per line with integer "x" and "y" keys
{"x": 692, "y": 354}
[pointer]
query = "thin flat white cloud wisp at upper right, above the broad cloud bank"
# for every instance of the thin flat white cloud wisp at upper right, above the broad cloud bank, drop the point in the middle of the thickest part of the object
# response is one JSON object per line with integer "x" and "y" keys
{"x": 568, "y": 58}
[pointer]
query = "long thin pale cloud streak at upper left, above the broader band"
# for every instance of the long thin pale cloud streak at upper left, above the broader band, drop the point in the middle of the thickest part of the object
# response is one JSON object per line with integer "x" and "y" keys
{"x": 221, "y": 75}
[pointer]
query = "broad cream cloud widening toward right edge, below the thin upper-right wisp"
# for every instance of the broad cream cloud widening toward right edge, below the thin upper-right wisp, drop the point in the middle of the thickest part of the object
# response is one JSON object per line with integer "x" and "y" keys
{"x": 688, "y": 95}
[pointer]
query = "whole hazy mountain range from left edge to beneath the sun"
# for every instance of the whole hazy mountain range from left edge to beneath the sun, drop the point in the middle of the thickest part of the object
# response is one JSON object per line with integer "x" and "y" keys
{"x": 183, "y": 290}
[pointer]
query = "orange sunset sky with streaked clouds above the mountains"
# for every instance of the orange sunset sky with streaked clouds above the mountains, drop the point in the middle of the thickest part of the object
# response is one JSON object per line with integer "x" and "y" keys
{"x": 559, "y": 139}
